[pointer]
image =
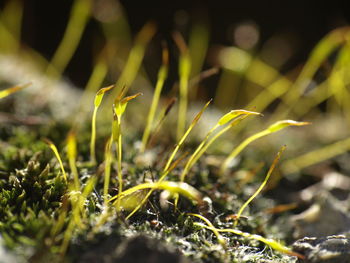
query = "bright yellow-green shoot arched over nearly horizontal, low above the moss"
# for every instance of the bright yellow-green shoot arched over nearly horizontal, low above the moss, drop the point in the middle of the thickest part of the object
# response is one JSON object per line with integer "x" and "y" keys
{"x": 173, "y": 187}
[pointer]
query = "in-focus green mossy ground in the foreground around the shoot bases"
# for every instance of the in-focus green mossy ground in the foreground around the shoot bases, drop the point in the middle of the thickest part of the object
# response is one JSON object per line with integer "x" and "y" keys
{"x": 33, "y": 193}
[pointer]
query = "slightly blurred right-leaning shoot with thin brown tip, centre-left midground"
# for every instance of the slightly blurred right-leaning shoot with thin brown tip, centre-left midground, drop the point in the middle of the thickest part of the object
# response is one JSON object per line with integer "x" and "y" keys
{"x": 162, "y": 75}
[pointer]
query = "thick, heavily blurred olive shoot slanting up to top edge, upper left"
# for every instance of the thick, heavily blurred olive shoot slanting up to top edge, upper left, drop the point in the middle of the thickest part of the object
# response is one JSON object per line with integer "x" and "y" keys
{"x": 78, "y": 19}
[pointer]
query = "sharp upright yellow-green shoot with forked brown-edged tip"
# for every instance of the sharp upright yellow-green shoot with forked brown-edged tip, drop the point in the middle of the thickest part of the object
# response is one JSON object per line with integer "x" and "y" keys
{"x": 119, "y": 107}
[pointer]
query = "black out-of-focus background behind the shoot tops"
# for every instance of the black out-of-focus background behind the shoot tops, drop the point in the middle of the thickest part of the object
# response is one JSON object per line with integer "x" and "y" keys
{"x": 305, "y": 23}
